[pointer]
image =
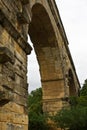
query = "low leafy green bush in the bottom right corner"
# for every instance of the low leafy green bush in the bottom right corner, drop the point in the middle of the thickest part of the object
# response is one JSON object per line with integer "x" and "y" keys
{"x": 74, "y": 119}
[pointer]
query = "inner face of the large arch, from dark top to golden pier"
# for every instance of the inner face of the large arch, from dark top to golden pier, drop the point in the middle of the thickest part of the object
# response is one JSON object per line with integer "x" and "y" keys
{"x": 43, "y": 37}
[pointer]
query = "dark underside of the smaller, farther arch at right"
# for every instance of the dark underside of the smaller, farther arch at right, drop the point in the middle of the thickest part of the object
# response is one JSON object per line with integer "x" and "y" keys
{"x": 72, "y": 89}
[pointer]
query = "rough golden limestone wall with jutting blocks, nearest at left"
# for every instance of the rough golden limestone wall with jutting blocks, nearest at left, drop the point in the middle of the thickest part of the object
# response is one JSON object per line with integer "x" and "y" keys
{"x": 13, "y": 65}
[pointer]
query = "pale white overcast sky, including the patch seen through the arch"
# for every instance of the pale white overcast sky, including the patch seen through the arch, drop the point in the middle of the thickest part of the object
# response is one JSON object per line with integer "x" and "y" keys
{"x": 74, "y": 17}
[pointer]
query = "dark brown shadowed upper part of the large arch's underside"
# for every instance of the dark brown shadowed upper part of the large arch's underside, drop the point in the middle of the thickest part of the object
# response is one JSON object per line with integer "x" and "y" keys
{"x": 40, "y": 28}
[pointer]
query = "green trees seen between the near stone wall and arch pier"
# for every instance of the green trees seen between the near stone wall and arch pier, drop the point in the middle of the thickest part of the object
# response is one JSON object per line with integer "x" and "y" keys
{"x": 37, "y": 119}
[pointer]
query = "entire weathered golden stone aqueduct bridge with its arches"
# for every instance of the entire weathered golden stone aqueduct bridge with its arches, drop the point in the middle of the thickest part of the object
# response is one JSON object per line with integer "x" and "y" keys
{"x": 41, "y": 20}
